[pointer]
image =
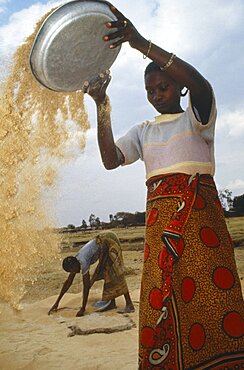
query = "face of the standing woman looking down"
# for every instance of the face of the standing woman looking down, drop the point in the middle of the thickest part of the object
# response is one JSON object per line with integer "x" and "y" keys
{"x": 163, "y": 92}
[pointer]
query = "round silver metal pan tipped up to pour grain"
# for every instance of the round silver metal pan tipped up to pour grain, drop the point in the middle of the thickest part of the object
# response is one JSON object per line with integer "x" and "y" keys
{"x": 69, "y": 47}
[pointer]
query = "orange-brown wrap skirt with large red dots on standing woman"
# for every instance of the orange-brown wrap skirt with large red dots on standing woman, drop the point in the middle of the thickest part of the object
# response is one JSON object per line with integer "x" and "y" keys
{"x": 191, "y": 306}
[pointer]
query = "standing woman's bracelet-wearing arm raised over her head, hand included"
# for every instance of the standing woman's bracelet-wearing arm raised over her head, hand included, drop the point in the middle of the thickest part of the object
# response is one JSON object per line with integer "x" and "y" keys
{"x": 182, "y": 72}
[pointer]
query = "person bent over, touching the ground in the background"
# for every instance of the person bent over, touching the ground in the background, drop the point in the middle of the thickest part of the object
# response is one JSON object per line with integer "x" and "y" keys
{"x": 105, "y": 249}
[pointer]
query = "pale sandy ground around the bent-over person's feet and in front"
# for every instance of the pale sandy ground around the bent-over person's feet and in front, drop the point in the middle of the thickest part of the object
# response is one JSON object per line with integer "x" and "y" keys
{"x": 33, "y": 340}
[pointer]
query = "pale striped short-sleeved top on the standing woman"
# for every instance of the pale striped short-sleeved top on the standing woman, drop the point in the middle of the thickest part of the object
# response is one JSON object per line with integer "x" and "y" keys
{"x": 172, "y": 143}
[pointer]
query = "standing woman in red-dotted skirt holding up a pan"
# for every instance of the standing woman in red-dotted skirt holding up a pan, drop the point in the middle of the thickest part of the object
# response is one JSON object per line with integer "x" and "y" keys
{"x": 191, "y": 307}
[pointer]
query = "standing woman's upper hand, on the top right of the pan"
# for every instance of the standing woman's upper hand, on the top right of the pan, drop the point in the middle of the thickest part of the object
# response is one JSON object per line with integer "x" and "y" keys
{"x": 125, "y": 31}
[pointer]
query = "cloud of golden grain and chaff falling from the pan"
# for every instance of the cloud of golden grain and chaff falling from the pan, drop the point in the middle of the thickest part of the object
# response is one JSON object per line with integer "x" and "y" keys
{"x": 34, "y": 137}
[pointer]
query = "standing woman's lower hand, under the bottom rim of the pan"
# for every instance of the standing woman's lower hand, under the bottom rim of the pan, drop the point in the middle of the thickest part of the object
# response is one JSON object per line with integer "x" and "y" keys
{"x": 97, "y": 87}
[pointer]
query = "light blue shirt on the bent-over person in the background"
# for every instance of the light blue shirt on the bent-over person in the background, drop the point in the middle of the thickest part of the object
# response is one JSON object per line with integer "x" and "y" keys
{"x": 88, "y": 255}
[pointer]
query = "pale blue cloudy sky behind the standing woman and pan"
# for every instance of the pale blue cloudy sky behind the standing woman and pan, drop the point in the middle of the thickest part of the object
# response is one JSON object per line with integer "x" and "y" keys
{"x": 207, "y": 34}
